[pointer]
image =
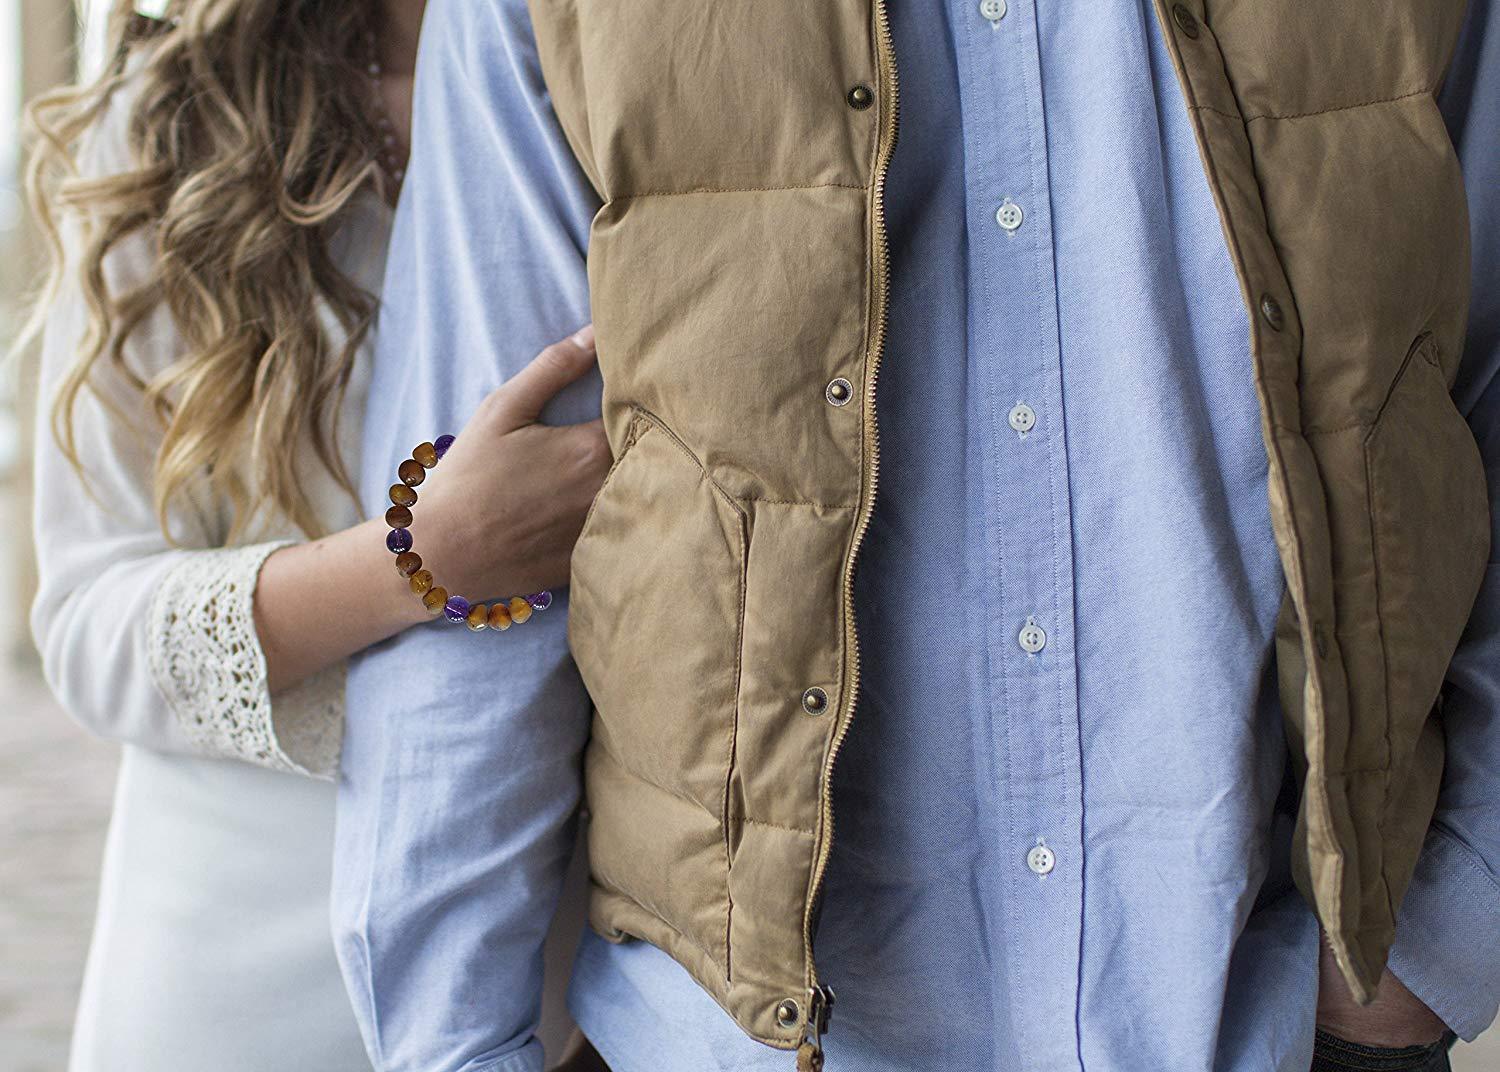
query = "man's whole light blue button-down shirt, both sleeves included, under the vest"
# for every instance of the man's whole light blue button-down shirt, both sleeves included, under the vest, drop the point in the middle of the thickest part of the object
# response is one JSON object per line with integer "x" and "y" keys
{"x": 1064, "y": 824}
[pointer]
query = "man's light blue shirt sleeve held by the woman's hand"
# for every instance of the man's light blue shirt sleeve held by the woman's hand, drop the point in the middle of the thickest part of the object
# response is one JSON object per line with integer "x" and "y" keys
{"x": 461, "y": 771}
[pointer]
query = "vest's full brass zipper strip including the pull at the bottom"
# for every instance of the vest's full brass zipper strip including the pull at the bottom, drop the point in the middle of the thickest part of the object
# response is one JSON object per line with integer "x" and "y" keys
{"x": 821, "y": 999}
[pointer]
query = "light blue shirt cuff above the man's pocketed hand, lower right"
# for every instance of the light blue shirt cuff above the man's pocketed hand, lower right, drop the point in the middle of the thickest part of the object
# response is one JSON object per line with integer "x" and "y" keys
{"x": 1448, "y": 936}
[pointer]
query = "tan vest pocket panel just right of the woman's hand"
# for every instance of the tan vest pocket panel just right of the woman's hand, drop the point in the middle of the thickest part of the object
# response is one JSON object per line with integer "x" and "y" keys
{"x": 656, "y": 617}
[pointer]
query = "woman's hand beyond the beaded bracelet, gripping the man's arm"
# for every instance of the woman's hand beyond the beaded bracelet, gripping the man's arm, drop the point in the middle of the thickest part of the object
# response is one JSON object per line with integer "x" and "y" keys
{"x": 502, "y": 514}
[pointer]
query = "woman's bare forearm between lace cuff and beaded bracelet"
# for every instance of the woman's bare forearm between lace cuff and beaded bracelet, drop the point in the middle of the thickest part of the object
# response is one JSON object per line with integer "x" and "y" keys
{"x": 319, "y": 603}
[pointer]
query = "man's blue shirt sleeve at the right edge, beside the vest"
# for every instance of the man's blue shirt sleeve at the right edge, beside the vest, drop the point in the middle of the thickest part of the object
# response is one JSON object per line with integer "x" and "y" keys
{"x": 1448, "y": 936}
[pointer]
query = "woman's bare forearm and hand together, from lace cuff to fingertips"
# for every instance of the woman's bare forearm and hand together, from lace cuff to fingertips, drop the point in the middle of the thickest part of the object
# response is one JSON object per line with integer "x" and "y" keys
{"x": 497, "y": 518}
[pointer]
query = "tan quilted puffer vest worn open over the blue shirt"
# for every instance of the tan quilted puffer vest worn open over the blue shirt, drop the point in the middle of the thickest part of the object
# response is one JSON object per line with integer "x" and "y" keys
{"x": 739, "y": 277}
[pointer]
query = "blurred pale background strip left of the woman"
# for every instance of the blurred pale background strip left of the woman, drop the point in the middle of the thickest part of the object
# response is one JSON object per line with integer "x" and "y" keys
{"x": 56, "y": 782}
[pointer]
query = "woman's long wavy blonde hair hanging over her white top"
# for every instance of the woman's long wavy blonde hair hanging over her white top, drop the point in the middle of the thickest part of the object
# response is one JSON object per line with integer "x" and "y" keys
{"x": 250, "y": 136}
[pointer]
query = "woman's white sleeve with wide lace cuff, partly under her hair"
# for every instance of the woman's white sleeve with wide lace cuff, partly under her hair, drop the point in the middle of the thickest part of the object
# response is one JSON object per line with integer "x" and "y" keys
{"x": 148, "y": 641}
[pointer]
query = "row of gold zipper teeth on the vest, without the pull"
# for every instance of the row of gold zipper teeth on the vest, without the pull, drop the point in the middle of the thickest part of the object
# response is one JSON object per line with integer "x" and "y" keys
{"x": 887, "y": 56}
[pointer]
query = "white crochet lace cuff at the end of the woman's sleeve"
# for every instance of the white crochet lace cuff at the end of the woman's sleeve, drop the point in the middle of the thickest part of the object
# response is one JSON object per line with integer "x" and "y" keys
{"x": 208, "y": 662}
